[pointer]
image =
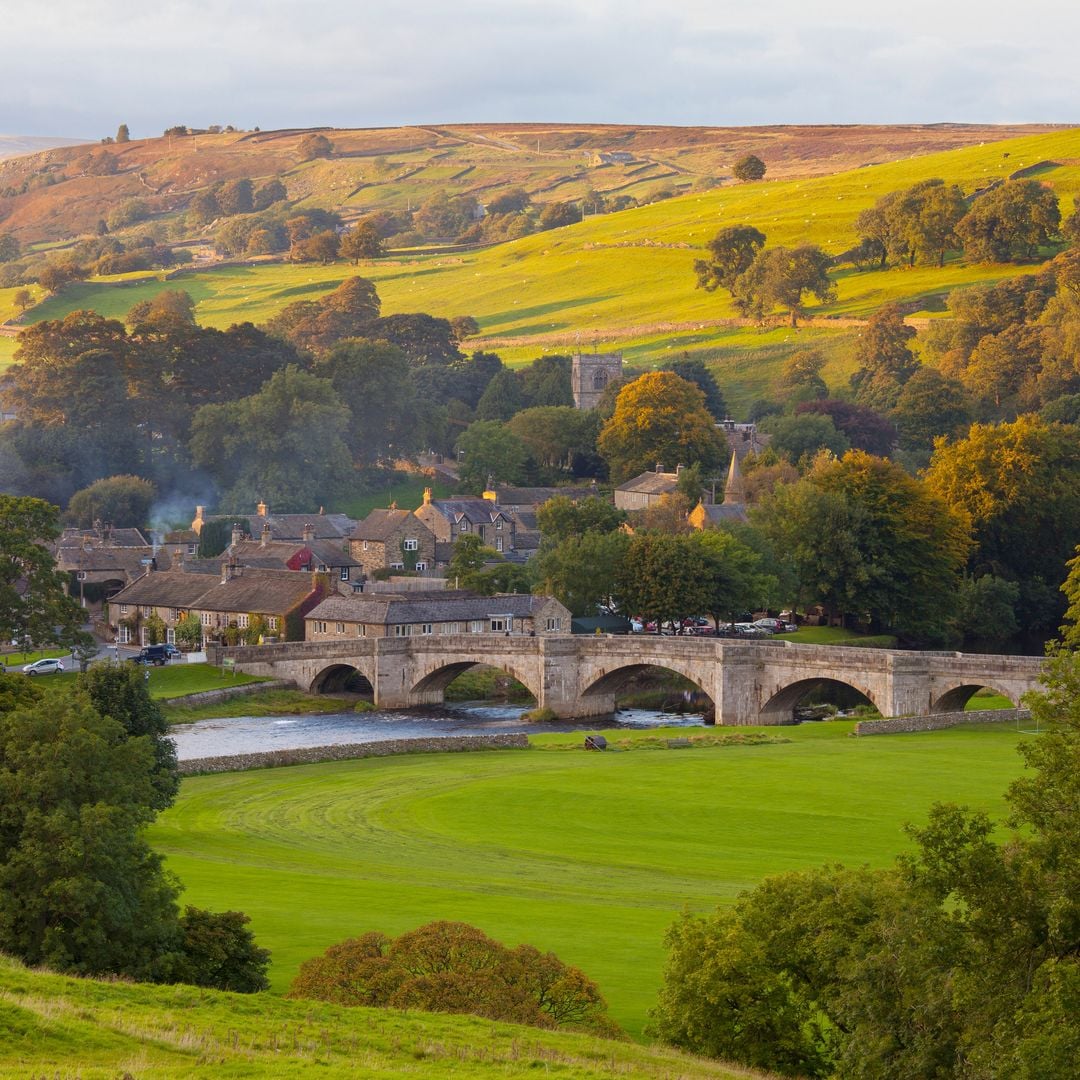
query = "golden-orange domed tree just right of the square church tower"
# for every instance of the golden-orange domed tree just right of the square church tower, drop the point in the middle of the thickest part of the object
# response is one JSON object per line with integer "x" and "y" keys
{"x": 660, "y": 418}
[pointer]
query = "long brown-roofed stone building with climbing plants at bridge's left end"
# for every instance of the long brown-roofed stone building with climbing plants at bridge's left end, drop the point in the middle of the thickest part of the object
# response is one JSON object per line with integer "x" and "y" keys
{"x": 239, "y": 600}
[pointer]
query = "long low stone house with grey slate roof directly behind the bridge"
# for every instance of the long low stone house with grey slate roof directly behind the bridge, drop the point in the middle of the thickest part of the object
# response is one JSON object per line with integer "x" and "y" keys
{"x": 426, "y": 614}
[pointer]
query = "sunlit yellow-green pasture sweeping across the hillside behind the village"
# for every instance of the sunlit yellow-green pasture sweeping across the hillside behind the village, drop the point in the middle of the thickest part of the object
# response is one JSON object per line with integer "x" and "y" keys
{"x": 626, "y": 280}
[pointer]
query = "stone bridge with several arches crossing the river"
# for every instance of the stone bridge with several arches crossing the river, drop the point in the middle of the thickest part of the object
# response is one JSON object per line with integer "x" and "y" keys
{"x": 749, "y": 682}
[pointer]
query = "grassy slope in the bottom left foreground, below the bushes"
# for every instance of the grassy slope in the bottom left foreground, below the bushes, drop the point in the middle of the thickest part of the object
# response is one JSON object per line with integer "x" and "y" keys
{"x": 69, "y": 1028}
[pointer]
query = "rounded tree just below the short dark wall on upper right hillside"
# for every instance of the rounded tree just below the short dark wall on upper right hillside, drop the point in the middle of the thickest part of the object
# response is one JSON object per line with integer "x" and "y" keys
{"x": 1010, "y": 223}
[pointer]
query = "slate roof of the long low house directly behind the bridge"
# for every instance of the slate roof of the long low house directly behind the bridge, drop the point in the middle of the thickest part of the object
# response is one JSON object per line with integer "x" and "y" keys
{"x": 444, "y": 606}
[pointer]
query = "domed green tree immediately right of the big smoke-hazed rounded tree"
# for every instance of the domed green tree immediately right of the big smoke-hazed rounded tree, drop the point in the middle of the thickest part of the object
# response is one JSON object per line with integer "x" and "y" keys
{"x": 372, "y": 379}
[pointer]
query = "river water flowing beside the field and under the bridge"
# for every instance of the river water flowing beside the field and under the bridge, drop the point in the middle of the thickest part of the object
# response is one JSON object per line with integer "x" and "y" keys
{"x": 253, "y": 735}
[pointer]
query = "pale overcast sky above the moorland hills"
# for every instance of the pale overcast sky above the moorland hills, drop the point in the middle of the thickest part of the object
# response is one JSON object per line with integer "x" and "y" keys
{"x": 82, "y": 67}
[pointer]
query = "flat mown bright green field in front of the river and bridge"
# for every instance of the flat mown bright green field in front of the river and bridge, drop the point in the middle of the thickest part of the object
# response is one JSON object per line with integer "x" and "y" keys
{"x": 588, "y": 855}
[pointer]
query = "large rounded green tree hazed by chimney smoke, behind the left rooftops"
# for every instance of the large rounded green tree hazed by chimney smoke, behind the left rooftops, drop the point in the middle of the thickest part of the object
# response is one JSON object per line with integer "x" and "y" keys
{"x": 286, "y": 444}
